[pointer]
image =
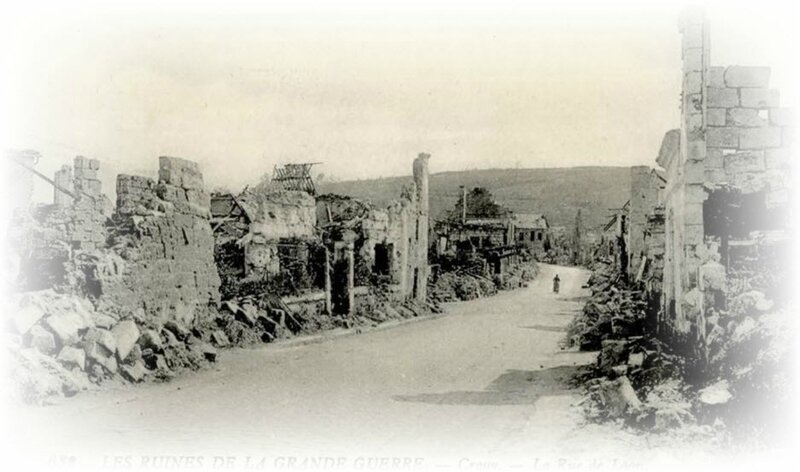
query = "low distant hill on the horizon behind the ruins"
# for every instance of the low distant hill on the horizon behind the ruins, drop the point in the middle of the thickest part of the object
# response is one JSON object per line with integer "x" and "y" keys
{"x": 555, "y": 192}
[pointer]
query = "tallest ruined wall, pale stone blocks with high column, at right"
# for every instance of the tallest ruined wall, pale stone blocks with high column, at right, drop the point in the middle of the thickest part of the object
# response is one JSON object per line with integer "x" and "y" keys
{"x": 733, "y": 134}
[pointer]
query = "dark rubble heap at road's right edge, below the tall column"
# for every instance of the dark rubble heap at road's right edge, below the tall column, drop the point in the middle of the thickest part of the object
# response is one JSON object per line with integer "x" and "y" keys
{"x": 636, "y": 380}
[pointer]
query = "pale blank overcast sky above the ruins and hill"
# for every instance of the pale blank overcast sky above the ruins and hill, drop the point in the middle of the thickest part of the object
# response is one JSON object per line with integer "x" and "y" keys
{"x": 362, "y": 89}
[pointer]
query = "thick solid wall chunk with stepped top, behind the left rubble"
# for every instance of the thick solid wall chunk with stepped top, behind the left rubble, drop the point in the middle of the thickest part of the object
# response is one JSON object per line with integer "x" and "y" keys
{"x": 163, "y": 238}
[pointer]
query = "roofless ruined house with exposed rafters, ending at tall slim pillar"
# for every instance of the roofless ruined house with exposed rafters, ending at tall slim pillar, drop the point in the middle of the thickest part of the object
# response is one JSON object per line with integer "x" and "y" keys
{"x": 326, "y": 247}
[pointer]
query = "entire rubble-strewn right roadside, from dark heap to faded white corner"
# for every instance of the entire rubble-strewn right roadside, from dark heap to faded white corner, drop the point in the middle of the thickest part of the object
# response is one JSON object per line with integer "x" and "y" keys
{"x": 740, "y": 390}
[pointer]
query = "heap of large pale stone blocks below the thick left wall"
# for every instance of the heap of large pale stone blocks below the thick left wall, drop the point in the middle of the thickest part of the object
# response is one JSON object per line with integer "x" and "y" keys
{"x": 62, "y": 345}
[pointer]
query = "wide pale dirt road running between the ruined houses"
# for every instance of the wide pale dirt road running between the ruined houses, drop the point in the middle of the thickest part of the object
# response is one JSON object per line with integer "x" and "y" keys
{"x": 483, "y": 386}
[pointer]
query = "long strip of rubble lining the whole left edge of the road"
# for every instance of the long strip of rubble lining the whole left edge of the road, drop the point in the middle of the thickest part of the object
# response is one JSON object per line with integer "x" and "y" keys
{"x": 61, "y": 344}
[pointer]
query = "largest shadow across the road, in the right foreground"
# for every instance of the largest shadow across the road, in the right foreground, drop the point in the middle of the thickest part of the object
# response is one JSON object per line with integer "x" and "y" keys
{"x": 514, "y": 387}
